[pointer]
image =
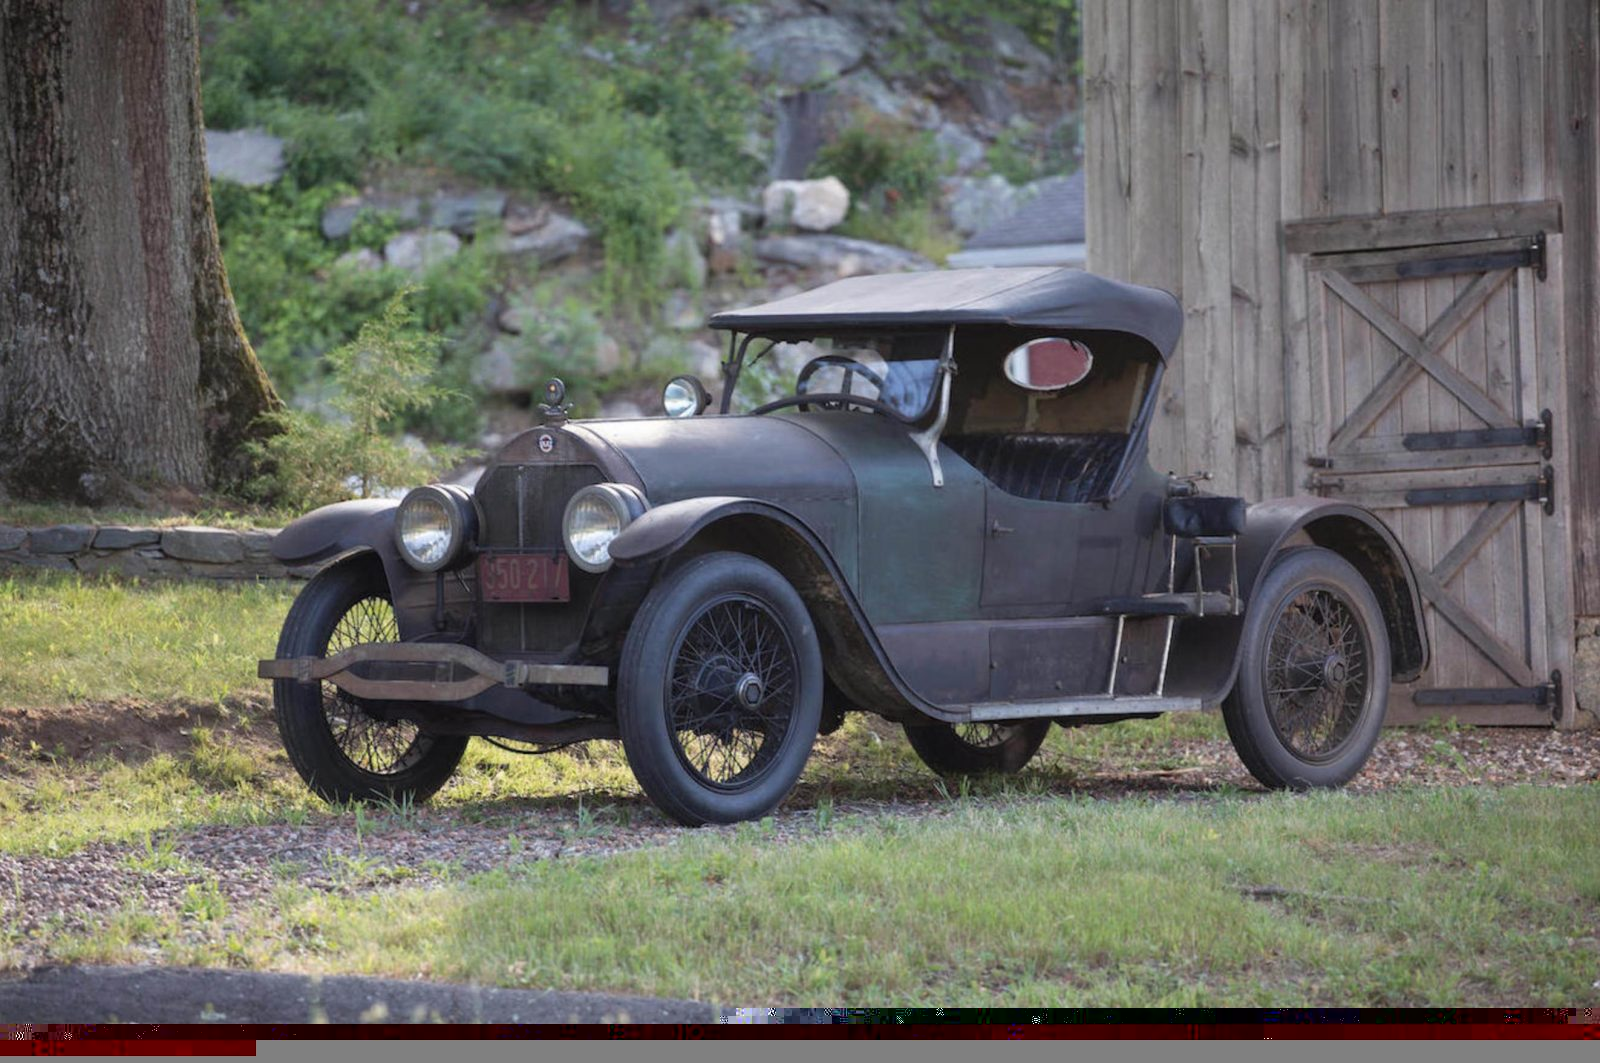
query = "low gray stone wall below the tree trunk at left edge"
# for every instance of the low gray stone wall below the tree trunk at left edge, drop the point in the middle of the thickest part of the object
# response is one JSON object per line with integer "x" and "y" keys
{"x": 162, "y": 553}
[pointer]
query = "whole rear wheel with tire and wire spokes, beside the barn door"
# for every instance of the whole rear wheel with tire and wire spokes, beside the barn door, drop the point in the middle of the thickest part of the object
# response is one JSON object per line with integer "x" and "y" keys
{"x": 1314, "y": 675}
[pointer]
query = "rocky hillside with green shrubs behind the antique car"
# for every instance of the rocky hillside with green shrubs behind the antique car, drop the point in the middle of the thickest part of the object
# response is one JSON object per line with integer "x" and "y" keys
{"x": 793, "y": 143}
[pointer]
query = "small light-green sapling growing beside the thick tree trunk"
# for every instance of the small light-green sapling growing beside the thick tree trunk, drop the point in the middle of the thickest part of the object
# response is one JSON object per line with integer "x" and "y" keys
{"x": 378, "y": 379}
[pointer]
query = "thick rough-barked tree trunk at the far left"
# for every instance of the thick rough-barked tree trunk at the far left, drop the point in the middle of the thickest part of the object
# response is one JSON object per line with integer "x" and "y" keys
{"x": 122, "y": 358}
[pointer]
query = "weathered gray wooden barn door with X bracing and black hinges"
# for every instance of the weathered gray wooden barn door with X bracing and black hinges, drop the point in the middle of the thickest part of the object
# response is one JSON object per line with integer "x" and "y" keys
{"x": 1426, "y": 385}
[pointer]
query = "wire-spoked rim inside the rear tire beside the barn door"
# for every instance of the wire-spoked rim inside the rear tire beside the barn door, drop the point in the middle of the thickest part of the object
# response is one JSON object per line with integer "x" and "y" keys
{"x": 1318, "y": 675}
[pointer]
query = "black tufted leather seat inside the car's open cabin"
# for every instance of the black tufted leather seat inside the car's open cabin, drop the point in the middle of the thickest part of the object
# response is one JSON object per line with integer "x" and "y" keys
{"x": 1046, "y": 468}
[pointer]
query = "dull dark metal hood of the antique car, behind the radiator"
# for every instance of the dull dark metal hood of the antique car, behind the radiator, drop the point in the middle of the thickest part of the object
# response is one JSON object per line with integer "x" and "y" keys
{"x": 777, "y": 459}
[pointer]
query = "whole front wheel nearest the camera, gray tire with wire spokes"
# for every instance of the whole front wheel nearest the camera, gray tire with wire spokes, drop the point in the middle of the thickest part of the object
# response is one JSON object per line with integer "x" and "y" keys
{"x": 721, "y": 691}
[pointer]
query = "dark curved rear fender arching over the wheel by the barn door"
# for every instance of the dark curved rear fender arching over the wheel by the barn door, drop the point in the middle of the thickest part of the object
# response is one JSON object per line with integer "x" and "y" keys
{"x": 1206, "y": 654}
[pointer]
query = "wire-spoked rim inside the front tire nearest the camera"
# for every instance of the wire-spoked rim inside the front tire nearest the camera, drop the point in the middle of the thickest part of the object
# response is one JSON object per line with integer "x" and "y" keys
{"x": 730, "y": 692}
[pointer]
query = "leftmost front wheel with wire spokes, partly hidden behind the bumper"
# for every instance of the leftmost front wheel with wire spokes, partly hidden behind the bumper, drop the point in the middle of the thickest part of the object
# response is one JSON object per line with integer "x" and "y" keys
{"x": 343, "y": 752}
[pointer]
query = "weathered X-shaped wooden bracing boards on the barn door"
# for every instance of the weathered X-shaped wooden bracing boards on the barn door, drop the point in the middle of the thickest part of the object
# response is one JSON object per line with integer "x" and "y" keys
{"x": 1489, "y": 465}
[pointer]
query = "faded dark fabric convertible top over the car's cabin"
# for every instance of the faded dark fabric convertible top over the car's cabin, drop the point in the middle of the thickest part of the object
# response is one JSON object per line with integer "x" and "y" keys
{"x": 1025, "y": 297}
